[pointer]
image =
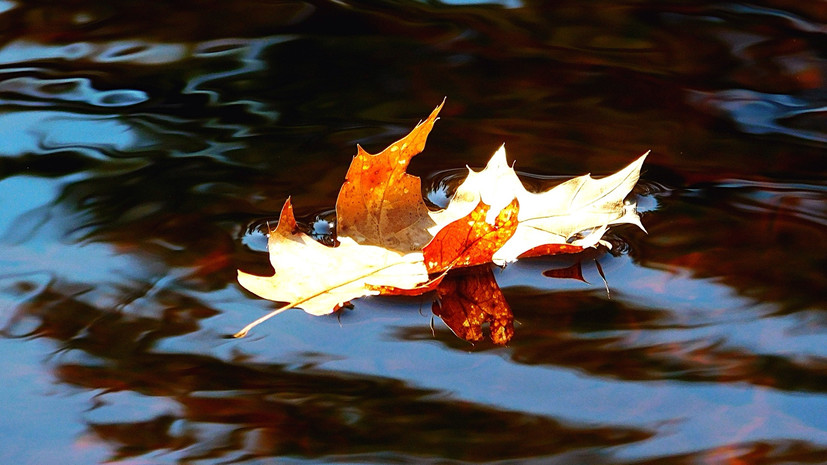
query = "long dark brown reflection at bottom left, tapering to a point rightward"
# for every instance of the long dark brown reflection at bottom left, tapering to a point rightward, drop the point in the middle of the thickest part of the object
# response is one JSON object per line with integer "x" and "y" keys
{"x": 269, "y": 409}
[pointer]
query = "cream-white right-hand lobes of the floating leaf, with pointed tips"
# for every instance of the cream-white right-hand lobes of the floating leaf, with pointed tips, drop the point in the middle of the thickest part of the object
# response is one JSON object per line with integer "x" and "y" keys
{"x": 574, "y": 213}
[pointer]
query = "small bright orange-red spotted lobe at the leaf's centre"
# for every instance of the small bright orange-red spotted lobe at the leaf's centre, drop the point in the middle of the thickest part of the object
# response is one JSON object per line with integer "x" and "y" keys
{"x": 471, "y": 240}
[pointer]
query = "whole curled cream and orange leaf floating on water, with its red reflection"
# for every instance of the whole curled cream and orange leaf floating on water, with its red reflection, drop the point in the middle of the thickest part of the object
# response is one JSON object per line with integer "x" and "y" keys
{"x": 390, "y": 243}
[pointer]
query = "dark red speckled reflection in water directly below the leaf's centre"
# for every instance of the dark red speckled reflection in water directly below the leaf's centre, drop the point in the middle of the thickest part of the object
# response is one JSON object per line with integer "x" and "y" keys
{"x": 471, "y": 297}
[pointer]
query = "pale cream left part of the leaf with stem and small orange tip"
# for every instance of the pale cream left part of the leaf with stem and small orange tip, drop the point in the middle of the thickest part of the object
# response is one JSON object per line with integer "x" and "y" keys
{"x": 319, "y": 279}
